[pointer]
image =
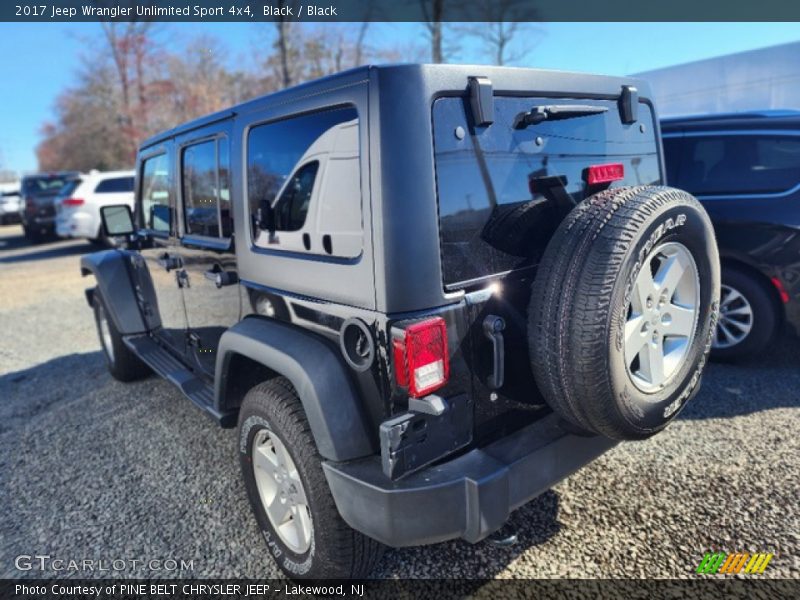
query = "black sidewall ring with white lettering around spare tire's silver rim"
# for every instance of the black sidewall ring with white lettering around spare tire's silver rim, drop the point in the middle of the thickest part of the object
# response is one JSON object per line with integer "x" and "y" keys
{"x": 688, "y": 225}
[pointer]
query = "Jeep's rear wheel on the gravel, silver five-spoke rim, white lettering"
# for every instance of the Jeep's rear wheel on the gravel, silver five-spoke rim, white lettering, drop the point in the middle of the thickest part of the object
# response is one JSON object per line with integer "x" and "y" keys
{"x": 288, "y": 491}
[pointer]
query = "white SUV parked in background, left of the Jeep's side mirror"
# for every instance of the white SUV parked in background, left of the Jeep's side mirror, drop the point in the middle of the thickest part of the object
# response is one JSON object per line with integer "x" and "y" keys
{"x": 79, "y": 201}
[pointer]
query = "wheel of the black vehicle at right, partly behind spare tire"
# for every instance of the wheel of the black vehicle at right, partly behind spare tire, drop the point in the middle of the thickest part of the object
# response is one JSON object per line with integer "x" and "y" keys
{"x": 747, "y": 318}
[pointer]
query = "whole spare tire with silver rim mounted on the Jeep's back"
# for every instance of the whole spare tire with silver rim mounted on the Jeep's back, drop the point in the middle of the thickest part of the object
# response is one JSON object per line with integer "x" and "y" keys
{"x": 623, "y": 310}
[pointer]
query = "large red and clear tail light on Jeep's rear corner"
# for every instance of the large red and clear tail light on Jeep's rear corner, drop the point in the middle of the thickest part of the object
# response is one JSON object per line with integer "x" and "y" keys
{"x": 420, "y": 357}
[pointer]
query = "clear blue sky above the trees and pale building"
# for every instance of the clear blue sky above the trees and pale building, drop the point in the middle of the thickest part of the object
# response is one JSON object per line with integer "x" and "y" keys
{"x": 38, "y": 60}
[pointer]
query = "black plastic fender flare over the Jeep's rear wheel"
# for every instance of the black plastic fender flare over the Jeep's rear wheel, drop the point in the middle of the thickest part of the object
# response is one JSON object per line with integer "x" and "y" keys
{"x": 315, "y": 368}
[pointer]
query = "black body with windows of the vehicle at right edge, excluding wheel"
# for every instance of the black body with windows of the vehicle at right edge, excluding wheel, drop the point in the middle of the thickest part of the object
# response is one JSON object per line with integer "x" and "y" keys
{"x": 755, "y": 207}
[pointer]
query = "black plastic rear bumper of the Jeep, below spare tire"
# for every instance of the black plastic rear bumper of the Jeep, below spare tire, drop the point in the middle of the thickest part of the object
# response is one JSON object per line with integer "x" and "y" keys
{"x": 468, "y": 497}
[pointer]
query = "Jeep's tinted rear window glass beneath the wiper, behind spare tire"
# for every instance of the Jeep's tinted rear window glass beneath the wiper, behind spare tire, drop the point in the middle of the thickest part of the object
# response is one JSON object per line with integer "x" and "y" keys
{"x": 503, "y": 190}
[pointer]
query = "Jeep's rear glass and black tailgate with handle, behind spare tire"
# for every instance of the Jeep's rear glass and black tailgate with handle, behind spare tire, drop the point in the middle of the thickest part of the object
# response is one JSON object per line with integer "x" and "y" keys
{"x": 503, "y": 189}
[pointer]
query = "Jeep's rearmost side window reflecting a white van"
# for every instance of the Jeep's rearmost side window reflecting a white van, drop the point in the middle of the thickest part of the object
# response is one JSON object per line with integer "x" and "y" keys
{"x": 307, "y": 170}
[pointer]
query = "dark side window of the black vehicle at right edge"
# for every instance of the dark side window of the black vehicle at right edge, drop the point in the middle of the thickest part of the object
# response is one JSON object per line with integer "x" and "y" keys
{"x": 734, "y": 164}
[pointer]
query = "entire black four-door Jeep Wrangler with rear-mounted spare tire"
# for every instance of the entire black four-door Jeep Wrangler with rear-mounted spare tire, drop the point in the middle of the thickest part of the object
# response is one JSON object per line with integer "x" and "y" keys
{"x": 425, "y": 294}
